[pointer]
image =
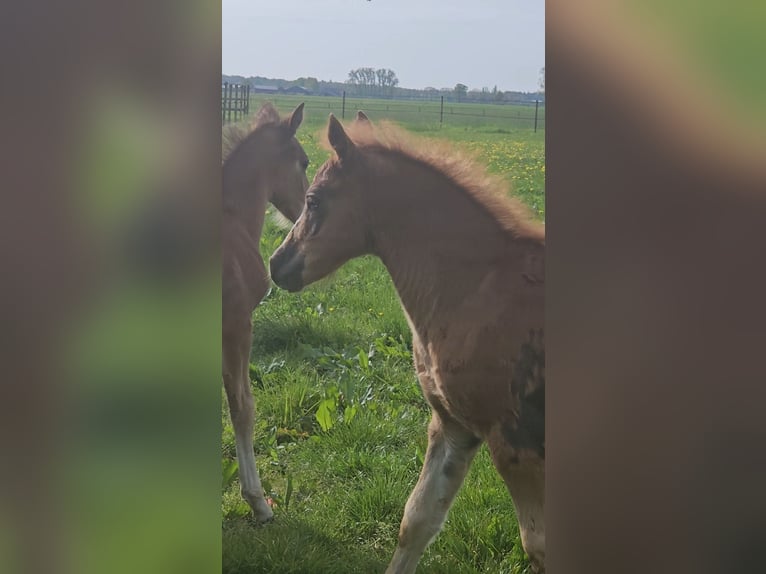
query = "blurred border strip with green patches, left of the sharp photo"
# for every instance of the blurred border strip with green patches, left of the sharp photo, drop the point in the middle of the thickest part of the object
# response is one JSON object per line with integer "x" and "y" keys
{"x": 110, "y": 404}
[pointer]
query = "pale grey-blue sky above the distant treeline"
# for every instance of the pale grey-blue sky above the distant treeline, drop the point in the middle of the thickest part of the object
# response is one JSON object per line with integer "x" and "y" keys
{"x": 428, "y": 43}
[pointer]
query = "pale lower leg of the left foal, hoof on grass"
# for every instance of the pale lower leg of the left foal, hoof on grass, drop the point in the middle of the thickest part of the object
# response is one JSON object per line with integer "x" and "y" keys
{"x": 236, "y": 379}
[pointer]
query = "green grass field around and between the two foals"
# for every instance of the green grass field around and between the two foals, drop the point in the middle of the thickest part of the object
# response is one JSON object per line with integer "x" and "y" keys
{"x": 340, "y": 420}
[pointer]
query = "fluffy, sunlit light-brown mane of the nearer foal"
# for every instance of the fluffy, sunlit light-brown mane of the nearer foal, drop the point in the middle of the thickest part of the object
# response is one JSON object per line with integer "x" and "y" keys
{"x": 489, "y": 191}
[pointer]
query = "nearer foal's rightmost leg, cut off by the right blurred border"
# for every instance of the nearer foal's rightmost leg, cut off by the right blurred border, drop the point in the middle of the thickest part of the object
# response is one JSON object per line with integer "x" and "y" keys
{"x": 524, "y": 477}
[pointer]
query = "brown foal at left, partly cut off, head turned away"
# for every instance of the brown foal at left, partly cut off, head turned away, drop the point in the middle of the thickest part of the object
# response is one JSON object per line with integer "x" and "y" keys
{"x": 261, "y": 165}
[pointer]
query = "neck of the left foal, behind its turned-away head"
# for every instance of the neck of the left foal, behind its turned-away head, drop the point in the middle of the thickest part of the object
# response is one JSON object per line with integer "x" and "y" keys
{"x": 245, "y": 191}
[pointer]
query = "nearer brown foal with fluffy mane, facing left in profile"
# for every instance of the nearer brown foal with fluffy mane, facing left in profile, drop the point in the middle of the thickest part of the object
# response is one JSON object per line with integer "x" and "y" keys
{"x": 468, "y": 265}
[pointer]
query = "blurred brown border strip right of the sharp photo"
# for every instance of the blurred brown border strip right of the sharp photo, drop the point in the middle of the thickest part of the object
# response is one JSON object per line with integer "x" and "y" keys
{"x": 656, "y": 221}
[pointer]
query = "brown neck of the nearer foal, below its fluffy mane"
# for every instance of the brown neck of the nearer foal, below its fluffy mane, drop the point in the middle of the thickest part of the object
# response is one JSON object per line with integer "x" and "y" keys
{"x": 435, "y": 240}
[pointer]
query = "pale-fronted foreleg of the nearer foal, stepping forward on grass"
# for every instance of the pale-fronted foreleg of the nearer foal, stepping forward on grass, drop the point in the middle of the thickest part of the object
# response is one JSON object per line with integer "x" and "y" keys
{"x": 450, "y": 451}
